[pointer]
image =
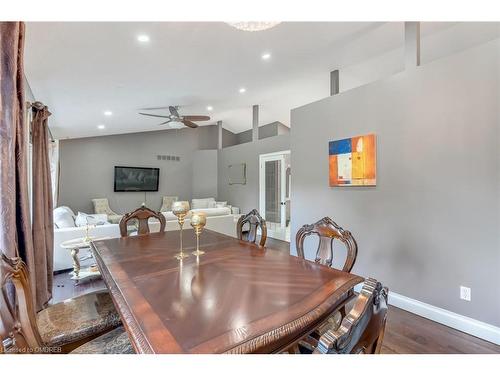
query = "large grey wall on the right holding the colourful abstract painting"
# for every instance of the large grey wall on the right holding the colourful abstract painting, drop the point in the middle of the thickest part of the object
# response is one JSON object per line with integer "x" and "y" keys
{"x": 432, "y": 222}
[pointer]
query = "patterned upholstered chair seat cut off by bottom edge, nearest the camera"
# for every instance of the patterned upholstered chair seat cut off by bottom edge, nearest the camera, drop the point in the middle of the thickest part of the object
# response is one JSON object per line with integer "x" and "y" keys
{"x": 113, "y": 342}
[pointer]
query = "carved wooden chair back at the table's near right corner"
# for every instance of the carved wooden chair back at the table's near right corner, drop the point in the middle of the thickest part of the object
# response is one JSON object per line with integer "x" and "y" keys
{"x": 362, "y": 330}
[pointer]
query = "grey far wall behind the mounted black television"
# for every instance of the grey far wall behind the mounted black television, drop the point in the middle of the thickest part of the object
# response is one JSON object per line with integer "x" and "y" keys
{"x": 87, "y": 166}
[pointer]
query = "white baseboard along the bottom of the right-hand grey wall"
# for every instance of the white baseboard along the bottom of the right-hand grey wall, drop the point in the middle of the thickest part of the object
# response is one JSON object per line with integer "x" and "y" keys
{"x": 462, "y": 323}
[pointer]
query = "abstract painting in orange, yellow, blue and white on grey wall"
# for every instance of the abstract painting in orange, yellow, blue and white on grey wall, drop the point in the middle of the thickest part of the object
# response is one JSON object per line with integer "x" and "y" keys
{"x": 353, "y": 161}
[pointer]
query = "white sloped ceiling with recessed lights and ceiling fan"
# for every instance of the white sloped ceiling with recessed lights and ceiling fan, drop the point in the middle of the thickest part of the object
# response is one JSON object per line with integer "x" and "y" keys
{"x": 82, "y": 69}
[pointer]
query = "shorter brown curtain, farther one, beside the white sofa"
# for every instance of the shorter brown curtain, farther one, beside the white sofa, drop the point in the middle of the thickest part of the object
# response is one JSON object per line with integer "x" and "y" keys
{"x": 43, "y": 224}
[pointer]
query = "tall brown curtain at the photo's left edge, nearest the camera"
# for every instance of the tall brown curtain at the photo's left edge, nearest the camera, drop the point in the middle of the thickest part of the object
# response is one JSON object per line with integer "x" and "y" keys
{"x": 15, "y": 226}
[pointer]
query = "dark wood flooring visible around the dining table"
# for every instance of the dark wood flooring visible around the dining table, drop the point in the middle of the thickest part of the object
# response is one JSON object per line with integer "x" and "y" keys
{"x": 406, "y": 333}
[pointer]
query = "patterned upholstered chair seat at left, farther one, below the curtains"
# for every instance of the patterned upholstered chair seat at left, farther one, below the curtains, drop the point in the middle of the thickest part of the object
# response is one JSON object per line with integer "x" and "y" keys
{"x": 77, "y": 319}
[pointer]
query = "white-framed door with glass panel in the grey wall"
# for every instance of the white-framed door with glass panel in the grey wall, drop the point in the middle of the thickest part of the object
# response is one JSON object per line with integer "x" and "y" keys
{"x": 273, "y": 187}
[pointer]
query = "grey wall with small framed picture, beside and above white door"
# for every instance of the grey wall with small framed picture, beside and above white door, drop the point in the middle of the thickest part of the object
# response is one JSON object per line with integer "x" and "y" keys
{"x": 246, "y": 197}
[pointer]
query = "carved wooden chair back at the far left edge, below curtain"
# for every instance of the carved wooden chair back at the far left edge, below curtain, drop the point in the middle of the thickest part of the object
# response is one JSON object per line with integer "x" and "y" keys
{"x": 18, "y": 328}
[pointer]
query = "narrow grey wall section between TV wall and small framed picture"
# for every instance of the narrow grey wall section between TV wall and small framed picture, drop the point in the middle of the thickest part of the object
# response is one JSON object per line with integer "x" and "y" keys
{"x": 205, "y": 174}
